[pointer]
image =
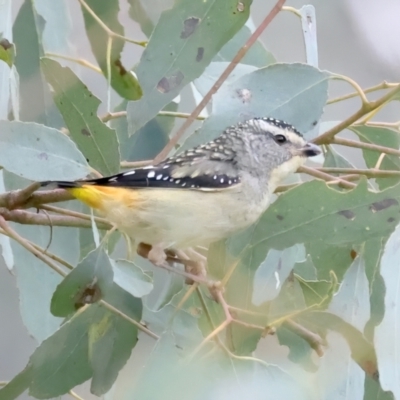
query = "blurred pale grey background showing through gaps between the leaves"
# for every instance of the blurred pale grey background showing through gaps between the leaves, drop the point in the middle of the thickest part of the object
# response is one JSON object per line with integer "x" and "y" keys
{"x": 357, "y": 38}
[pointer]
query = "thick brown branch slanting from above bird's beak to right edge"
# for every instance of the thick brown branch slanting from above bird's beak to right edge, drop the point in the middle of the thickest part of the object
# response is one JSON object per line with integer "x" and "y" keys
{"x": 329, "y": 135}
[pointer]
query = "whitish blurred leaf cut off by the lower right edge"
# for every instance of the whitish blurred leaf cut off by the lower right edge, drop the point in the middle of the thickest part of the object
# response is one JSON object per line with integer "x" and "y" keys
{"x": 386, "y": 334}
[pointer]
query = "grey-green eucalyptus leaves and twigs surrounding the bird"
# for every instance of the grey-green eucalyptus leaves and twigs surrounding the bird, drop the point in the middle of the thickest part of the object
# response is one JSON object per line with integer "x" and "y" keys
{"x": 317, "y": 273}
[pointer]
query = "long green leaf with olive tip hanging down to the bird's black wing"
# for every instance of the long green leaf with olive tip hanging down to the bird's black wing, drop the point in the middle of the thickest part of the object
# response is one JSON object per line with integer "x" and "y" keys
{"x": 79, "y": 107}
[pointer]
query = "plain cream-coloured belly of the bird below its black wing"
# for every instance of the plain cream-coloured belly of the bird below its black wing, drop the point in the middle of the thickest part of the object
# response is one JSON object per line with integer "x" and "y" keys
{"x": 200, "y": 218}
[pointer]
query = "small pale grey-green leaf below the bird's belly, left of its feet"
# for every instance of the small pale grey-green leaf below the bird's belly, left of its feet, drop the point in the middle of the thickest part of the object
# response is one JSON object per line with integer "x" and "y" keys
{"x": 132, "y": 278}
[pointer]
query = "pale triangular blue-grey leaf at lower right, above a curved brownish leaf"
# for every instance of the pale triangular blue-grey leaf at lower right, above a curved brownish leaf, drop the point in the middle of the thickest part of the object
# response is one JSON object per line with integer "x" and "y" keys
{"x": 351, "y": 302}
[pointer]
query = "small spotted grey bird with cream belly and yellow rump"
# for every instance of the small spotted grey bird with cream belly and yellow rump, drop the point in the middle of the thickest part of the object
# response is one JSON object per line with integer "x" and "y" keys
{"x": 201, "y": 195}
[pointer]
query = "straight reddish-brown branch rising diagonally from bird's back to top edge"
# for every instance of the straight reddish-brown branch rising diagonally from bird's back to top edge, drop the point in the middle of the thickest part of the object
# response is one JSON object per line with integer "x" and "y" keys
{"x": 240, "y": 54}
